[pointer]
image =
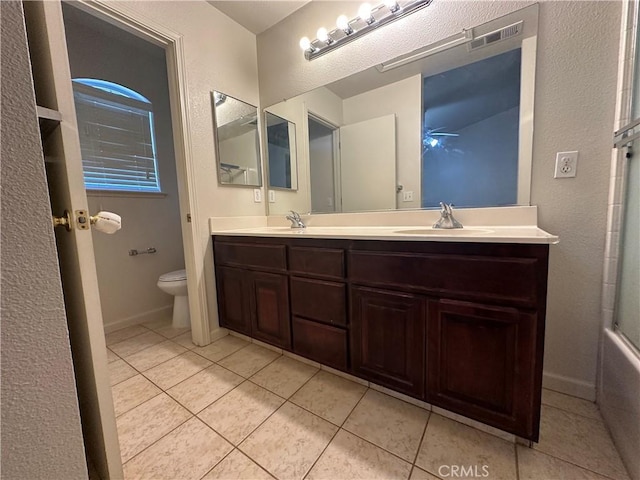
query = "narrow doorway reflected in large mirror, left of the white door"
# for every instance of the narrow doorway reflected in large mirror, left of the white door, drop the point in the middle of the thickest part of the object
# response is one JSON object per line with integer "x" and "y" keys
{"x": 324, "y": 166}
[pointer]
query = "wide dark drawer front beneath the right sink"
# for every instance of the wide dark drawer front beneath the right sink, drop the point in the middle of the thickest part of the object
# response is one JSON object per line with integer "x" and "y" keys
{"x": 475, "y": 277}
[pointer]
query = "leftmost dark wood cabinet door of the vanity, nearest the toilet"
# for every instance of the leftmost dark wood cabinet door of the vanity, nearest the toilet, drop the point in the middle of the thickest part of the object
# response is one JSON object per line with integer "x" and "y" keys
{"x": 232, "y": 299}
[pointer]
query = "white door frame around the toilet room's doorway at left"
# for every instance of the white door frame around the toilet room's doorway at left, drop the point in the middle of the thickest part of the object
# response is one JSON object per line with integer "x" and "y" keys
{"x": 172, "y": 42}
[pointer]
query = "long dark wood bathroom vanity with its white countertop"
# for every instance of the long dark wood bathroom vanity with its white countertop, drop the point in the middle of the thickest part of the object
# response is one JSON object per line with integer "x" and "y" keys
{"x": 456, "y": 321}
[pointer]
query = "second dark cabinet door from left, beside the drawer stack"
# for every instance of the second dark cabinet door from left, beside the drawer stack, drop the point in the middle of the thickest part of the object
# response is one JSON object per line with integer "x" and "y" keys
{"x": 270, "y": 320}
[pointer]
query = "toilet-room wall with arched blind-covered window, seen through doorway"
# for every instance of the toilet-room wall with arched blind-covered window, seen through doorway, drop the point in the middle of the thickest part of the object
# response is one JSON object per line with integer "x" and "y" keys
{"x": 124, "y": 124}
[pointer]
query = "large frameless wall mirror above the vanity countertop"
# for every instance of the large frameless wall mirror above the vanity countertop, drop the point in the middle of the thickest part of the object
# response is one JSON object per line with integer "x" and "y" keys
{"x": 451, "y": 122}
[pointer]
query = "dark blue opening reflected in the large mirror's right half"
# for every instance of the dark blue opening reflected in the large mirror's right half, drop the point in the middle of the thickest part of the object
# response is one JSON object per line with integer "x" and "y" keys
{"x": 470, "y": 133}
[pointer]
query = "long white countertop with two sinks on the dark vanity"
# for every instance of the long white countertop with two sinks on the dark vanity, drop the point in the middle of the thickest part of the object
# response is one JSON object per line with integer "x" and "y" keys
{"x": 478, "y": 234}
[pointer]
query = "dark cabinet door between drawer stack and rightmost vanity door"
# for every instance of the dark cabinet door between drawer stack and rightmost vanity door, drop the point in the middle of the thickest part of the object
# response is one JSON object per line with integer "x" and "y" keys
{"x": 388, "y": 337}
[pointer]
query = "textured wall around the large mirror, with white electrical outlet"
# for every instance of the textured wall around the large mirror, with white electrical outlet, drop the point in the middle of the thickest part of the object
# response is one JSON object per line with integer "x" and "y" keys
{"x": 574, "y": 109}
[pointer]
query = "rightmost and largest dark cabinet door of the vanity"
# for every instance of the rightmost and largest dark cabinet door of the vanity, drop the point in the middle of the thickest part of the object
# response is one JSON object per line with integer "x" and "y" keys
{"x": 482, "y": 364}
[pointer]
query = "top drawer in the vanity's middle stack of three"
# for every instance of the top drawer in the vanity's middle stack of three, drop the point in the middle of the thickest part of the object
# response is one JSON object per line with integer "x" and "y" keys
{"x": 321, "y": 262}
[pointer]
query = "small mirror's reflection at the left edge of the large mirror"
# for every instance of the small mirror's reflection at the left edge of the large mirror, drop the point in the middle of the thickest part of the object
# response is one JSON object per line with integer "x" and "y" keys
{"x": 281, "y": 152}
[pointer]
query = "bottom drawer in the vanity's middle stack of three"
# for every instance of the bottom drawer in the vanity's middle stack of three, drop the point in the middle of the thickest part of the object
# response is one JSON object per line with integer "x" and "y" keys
{"x": 319, "y": 342}
